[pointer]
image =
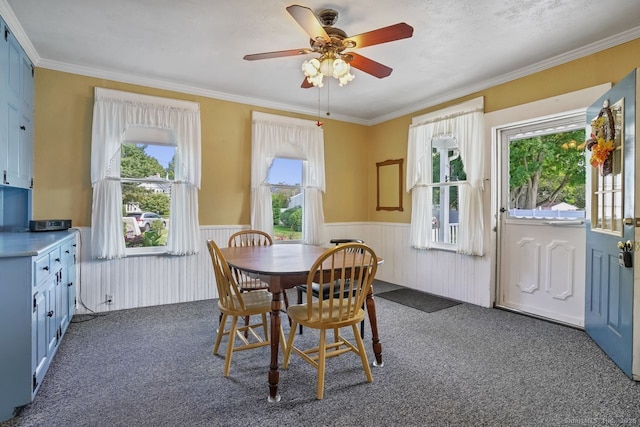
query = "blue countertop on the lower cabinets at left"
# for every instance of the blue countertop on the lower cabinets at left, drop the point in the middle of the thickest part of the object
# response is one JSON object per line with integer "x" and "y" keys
{"x": 28, "y": 243}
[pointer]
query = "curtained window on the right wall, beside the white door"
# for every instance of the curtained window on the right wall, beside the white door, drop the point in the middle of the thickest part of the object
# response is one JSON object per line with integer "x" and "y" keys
{"x": 445, "y": 174}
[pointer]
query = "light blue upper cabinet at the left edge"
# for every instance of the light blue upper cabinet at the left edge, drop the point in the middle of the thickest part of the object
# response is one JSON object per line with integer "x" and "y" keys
{"x": 16, "y": 112}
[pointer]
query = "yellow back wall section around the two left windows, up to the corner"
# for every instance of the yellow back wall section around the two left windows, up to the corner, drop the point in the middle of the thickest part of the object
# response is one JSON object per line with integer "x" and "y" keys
{"x": 62, "y": 139}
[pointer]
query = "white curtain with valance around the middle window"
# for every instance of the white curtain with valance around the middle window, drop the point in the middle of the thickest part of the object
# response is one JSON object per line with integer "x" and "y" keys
{"x": 276, "y": 136}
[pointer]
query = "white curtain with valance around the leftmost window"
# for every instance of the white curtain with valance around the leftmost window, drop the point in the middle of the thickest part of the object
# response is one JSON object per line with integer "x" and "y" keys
{"x": 113, "y": 113}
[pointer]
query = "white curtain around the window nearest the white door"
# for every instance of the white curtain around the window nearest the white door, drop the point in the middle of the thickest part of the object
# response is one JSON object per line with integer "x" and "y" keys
{"x": 465, "y": 123}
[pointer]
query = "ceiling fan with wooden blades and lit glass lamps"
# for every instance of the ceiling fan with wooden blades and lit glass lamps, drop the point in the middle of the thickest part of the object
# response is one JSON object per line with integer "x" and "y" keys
{"x": 331, "y": 44}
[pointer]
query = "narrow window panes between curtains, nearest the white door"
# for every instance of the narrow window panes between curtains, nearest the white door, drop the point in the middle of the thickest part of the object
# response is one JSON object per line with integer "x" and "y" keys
{"x": 447, "y": 176}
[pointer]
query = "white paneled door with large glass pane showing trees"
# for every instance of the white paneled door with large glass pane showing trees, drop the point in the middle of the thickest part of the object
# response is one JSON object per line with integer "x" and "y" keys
{"x": 541, "y": 228}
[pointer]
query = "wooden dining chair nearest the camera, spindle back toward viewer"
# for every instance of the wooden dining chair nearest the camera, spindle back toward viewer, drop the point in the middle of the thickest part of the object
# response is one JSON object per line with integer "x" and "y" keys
{"x": 349, "y": 268}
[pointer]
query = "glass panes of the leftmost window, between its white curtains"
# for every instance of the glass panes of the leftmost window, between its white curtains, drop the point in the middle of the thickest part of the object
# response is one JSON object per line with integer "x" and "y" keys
{"x": 146, "y": 174}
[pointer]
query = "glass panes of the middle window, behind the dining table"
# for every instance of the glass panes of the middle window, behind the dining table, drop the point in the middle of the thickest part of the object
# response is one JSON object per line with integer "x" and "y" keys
{"x": 285, "y": 179}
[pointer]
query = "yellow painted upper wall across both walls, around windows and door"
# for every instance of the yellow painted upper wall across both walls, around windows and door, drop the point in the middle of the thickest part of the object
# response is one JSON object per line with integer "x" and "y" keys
{"x": 63, "y": 112}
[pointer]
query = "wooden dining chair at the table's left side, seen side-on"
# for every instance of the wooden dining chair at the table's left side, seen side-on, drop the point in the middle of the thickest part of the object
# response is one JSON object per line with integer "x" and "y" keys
{"x": 234, "y": 304}
